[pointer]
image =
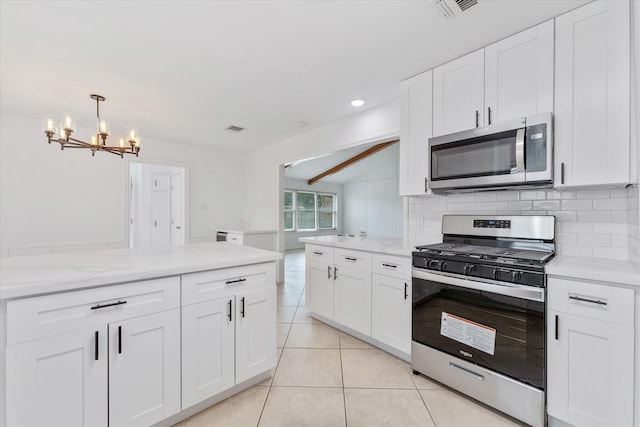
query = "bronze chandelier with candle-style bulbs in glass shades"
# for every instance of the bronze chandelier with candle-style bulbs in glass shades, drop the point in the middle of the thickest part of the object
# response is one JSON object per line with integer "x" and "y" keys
{"x": 98, "y": 141}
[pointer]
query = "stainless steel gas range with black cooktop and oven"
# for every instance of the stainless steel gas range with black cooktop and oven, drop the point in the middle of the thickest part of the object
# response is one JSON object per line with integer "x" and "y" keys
{"x": 478, "y": 316}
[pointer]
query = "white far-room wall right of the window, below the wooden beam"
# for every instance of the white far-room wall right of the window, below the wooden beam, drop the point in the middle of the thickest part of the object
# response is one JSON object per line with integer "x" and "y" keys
{"x": 372, "y": 201}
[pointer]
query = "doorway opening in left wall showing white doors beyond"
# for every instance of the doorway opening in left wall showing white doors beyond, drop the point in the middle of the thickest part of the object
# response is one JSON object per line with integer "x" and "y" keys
{"x": 156, "y": 205}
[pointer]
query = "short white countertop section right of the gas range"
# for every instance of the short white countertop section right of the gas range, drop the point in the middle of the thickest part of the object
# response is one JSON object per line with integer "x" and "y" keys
{"x": 598, "y": 269}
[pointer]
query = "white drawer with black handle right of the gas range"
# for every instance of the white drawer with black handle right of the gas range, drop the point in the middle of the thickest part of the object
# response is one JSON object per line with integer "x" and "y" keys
{"x": 602, "y": 302}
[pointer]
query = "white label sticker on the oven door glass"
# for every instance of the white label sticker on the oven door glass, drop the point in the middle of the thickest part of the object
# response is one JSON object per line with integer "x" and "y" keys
{"x": 467, "y": 332}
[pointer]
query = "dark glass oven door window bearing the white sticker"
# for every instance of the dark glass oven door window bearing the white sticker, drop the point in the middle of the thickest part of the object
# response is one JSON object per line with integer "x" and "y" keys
{"x": 513, "y": 329}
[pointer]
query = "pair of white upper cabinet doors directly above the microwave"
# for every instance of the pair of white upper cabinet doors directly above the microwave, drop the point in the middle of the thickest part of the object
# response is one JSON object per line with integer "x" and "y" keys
{"x": 508, "y": 79}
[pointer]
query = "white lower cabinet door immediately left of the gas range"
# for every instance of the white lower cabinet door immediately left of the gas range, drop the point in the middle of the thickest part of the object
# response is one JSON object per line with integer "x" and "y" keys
{"x": 391, "y": 311}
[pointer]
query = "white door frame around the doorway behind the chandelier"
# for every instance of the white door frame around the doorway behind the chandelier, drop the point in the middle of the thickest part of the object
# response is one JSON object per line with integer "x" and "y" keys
{"x": 186, "y": 196}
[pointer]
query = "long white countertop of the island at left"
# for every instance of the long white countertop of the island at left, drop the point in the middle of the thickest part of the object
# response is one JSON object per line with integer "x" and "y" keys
{"x": 32, "y": 275}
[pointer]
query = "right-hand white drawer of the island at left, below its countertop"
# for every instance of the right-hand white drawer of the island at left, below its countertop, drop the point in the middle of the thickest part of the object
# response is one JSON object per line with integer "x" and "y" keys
{"x": 214, "y": 284}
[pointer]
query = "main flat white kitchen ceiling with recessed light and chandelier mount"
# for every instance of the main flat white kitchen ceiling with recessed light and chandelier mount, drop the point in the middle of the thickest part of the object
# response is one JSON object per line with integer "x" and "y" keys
{"x": 185, "y": 70}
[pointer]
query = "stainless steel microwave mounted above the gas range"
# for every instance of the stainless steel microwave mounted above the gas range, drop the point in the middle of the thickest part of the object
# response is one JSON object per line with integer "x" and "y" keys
{"x": 513, "y": 153}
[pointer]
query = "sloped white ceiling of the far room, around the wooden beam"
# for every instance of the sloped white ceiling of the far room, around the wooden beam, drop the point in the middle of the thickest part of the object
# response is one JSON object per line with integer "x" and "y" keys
{"x": 307, "y": 169}
